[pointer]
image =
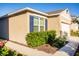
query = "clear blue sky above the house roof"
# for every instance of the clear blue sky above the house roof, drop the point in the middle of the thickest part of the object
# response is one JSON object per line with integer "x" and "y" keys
{"x": 6, "y": 8}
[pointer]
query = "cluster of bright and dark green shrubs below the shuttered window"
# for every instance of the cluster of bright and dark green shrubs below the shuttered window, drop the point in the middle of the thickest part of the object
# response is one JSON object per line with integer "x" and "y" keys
{"x": 35, "y": 39}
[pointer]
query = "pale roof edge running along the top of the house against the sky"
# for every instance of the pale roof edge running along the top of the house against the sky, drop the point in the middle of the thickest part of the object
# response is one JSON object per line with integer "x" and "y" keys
{"x": 30, "y": 9}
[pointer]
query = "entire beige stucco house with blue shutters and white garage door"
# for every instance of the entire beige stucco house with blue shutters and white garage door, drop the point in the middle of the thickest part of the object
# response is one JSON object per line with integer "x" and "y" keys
{"x": 14, "y": 26}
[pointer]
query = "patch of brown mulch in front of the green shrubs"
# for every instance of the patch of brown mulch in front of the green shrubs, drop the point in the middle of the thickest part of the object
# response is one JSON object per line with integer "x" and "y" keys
{"x": 47, "y": 48}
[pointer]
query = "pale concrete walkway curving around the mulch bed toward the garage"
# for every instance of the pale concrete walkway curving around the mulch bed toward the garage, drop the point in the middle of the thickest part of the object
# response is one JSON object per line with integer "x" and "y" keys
{"x": 67, "y": 50}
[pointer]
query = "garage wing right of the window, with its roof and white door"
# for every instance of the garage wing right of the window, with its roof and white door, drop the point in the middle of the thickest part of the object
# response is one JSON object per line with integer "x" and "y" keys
{"x": 60, "y": 21}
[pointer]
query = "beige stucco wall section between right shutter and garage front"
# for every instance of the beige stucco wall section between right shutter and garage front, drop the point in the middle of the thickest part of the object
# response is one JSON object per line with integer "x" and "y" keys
{"x": 54, "y": 24}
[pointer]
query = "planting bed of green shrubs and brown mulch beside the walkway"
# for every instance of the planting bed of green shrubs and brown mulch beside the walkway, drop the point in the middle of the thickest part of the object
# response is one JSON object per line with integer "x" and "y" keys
{"x": 46, "y": 41}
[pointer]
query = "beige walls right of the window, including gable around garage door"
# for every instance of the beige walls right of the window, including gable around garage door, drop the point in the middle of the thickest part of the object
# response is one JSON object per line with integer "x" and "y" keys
{"x": 54, "y": 23}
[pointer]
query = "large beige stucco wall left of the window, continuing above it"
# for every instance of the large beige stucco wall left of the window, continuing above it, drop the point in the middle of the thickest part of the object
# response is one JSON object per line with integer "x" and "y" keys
{"x": 19, "y": 26}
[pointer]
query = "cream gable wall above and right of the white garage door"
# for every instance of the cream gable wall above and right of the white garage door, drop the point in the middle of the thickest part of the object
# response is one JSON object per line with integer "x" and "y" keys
{"x": 66, "y": 19}
